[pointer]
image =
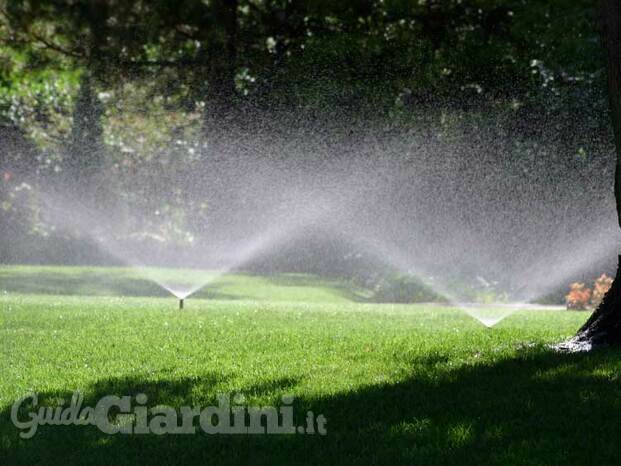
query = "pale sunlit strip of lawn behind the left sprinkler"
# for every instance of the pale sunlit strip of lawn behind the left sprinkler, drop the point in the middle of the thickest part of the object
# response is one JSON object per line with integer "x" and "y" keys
{"x": 126, "y": 281}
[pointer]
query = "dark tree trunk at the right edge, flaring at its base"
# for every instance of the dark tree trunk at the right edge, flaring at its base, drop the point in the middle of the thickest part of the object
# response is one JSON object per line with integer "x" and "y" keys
{"x": 604, "y": 326}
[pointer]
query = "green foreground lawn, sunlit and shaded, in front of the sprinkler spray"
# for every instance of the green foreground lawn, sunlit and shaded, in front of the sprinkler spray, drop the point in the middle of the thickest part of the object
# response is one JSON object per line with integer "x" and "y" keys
{"x": 398, "y": 384}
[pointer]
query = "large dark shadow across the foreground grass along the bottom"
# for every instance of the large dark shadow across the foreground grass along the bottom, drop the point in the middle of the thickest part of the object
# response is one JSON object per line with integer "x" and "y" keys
{"x": 538, "y": 408}
